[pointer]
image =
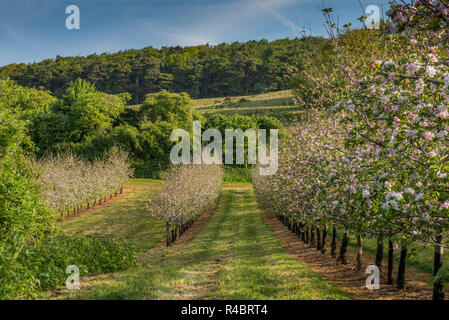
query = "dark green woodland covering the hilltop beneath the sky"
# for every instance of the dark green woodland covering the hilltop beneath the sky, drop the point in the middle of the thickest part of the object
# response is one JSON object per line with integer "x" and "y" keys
{"x": 201, "y": 71}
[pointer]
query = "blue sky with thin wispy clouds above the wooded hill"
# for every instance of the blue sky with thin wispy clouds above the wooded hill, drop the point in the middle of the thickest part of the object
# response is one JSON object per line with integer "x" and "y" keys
{"x": 32, "y": 30}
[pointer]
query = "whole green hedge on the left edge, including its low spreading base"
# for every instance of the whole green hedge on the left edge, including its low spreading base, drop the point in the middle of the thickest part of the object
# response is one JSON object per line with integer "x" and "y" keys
{"x": 34, "y": 253}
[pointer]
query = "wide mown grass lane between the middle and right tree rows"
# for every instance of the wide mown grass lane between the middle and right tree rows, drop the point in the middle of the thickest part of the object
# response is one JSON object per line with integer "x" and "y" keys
{"x": 235, "y": 256}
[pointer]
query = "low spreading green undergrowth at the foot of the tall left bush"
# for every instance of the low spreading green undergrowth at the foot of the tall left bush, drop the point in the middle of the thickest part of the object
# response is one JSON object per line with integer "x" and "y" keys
{"x": 40, "y": 266}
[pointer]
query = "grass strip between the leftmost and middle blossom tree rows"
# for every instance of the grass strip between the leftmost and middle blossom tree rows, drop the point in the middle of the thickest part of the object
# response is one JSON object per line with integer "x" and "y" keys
{"x": 125, "y": 218}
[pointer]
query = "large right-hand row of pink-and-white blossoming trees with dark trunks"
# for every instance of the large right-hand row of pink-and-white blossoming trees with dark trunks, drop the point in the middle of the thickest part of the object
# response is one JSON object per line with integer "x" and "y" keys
{"x": 376, "y": 164}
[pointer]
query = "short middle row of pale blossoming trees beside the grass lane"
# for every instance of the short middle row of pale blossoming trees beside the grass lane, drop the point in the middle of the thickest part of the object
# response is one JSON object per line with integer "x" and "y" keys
{"x": 188, "y": 192}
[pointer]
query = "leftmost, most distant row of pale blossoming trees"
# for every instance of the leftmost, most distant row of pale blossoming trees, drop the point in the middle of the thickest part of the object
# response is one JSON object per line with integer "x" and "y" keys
{"x": 68, "y": 181}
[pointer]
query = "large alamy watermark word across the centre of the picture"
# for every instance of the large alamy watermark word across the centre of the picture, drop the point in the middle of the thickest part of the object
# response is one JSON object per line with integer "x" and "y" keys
{"x": 212, "y": 153}
